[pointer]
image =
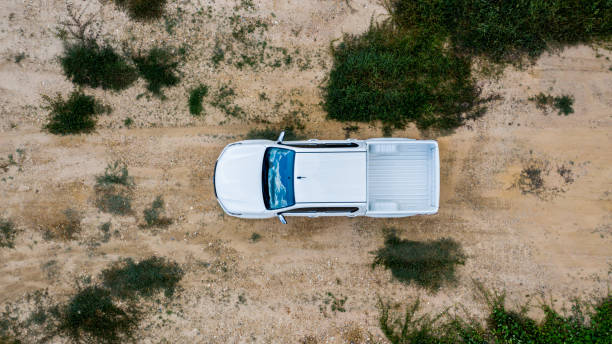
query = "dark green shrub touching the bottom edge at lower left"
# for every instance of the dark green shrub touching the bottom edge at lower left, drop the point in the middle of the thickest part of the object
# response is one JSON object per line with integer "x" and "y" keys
{"x": 92, "y": 316}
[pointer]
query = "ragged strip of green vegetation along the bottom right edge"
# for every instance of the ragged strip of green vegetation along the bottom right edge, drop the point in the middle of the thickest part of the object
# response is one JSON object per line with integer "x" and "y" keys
{"x": 503, "y": 325}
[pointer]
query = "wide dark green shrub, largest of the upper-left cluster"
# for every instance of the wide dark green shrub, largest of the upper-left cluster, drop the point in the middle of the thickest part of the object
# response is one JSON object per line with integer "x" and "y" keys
{"x": 88, "y": 64}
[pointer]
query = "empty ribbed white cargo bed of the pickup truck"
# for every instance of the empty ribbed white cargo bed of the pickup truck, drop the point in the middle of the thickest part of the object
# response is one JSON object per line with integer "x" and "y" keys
{"x": 402, "y": 177}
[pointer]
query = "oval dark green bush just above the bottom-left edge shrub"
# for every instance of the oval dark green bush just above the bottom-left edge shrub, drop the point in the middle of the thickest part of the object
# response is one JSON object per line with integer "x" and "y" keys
{"x": 127, "y": 279}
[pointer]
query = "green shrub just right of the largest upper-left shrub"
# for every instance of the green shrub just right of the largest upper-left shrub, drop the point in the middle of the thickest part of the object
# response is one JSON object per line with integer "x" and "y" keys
{"x": 159, "y": 68}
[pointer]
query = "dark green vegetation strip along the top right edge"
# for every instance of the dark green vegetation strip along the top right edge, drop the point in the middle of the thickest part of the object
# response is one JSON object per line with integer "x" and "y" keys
{"x": 506, "y": 30}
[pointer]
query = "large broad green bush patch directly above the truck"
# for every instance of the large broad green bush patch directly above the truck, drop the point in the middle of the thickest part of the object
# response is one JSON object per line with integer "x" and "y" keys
{"x": 395, "y": 77}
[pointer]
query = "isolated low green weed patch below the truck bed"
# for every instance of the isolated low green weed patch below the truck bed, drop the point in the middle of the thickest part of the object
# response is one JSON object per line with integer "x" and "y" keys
{"x": 429, "y": 264}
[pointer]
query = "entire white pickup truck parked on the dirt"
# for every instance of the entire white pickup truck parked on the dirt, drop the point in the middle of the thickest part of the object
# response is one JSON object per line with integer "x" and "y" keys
{"x": 385, "y": 177}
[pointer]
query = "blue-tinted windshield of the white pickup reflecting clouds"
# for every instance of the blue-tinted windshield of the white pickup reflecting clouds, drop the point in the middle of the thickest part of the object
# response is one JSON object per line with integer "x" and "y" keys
{"x": 278, "y": 178}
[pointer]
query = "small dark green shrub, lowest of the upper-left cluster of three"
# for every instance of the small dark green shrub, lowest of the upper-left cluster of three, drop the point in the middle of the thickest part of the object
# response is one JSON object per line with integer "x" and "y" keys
{"x": 75, "y": 115}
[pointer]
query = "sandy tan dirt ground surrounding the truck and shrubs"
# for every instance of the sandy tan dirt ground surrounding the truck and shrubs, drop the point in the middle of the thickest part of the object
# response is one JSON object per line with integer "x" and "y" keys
{"x": 551, "y": 245}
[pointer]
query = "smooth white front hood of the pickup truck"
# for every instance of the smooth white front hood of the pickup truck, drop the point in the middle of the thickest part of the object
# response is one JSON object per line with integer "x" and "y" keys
{"x": 238, "y": 178}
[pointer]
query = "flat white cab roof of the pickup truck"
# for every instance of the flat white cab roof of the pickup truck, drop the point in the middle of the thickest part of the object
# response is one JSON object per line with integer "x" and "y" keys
{"x": 330, "y": 177}
